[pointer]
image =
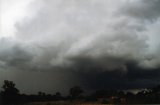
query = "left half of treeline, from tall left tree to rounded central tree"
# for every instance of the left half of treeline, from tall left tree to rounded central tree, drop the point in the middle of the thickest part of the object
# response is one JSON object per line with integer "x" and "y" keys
{"x": 9, "y": 94}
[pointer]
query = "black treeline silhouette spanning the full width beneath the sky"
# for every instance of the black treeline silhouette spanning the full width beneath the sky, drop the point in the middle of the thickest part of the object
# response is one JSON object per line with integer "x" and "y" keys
{"x": 11, "y": 95}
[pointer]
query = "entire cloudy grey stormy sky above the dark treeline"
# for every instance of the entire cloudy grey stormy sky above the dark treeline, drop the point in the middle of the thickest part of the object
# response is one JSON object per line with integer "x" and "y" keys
{"x": 51, "y": 45}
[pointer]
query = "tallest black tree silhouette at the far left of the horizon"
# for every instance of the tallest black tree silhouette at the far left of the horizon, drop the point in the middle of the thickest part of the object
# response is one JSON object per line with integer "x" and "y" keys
{"x": 10, "y": 94}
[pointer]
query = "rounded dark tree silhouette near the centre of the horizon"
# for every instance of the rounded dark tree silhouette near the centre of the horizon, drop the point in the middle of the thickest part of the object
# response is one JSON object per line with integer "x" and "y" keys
{"x": 75, "y": 92}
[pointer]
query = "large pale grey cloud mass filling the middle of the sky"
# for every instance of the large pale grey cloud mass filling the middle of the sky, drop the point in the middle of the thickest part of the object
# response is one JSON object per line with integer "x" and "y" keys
{"x": 64, "y": 31}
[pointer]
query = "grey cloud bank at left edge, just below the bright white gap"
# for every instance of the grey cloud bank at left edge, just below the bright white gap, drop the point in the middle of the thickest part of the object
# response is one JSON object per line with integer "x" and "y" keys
{"x": 14, "y": 55}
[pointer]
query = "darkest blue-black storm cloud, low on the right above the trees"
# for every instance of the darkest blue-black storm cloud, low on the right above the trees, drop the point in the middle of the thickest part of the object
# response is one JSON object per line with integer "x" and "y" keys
{"x": 135, "y": 77}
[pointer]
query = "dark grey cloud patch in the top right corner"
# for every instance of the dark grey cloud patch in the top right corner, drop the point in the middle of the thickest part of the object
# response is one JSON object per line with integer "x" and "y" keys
{"x": 143, "y": 9}
